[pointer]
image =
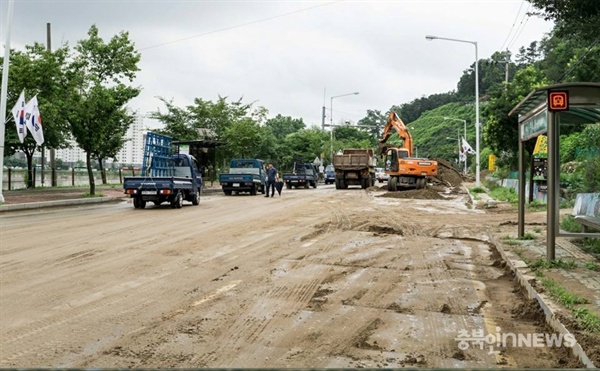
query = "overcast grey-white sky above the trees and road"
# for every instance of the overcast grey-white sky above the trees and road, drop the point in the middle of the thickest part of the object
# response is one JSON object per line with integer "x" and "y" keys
{"x": 289, "y": 56}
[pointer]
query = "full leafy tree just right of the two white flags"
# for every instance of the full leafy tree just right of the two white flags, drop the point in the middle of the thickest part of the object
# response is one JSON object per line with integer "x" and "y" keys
{"x": 97, "y": 110}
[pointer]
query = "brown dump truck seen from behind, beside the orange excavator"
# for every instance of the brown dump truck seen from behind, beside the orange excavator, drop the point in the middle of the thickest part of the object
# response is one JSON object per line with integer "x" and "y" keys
{"x": 354, "y": 166}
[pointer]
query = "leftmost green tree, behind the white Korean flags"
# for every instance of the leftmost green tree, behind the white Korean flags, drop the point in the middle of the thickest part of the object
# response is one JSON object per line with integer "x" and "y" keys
{"x": 42, "y": 73}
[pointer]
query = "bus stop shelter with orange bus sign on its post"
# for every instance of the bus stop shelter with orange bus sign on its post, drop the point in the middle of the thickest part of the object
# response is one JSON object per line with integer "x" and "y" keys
{"x": 543, "y": 111}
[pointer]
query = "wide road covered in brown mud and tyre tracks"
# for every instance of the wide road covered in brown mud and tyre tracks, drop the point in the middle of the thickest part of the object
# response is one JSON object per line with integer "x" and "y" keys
{"x": 316, "y": 278}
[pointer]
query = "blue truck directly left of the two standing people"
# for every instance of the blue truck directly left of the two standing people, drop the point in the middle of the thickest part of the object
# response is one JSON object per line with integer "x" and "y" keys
{"x": 245, "y": 175}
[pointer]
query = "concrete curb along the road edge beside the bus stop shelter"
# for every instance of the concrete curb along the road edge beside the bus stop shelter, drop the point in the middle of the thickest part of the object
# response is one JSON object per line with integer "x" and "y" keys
{"x": 551, "y": 318}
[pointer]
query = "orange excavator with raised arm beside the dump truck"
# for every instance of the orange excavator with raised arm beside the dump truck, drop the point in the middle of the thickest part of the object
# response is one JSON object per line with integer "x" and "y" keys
{"x": 404, "y": 170}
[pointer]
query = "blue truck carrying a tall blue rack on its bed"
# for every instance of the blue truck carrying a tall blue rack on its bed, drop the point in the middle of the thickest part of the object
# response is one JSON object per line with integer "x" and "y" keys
{"x": 165, "y": 177}
